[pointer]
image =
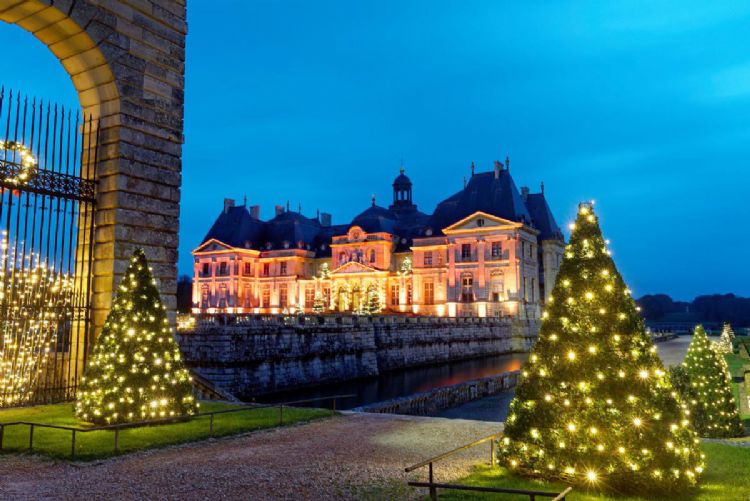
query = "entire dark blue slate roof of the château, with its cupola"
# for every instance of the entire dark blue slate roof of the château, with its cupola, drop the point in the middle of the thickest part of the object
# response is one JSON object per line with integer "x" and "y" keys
{"x": 289, "y": 229}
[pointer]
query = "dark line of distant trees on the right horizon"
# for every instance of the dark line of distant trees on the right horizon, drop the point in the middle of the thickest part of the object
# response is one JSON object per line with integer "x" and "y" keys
{"x": 703, "y": 309}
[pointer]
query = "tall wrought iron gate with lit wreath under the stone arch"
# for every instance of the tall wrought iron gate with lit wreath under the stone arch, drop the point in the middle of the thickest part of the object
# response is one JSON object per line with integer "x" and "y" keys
{"x": 47, "y": 196}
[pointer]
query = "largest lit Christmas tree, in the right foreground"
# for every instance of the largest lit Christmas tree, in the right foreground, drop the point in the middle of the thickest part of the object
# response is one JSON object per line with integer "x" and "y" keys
{"x": 594, "y": 405}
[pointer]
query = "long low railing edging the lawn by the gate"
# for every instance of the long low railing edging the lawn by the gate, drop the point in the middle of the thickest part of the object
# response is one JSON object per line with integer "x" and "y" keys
{"x": 117, "y": 427}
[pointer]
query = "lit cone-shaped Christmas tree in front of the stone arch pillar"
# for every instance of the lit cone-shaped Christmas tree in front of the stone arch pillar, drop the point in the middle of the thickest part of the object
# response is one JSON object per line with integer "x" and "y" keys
{"x": 135, "y": 371}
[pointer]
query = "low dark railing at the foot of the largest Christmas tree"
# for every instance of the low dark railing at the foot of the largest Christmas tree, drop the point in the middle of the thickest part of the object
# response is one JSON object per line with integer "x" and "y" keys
{"x": 434, "y": 486}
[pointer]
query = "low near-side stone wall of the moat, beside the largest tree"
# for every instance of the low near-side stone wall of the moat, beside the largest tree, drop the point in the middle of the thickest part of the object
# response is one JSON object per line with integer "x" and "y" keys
{"x": 430, "y": 402}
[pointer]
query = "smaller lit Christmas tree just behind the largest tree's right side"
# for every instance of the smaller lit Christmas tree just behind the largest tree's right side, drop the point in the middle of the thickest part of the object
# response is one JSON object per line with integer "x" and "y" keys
{"x": 713, "y": 406}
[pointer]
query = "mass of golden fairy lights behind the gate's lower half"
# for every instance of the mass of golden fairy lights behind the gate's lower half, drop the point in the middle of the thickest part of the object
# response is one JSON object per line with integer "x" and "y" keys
{"x": 35, "y": 300}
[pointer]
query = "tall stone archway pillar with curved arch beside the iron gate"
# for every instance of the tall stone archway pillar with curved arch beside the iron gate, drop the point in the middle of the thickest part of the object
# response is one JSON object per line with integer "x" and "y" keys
{"x": 126, "y": 60}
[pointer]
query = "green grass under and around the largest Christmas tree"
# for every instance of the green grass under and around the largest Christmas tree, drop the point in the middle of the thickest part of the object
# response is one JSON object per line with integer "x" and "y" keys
{"x": 725, "y": 478}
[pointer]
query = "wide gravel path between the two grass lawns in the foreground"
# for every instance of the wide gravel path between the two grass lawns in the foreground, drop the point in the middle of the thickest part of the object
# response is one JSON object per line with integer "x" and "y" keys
{"x": 358, "y": 456}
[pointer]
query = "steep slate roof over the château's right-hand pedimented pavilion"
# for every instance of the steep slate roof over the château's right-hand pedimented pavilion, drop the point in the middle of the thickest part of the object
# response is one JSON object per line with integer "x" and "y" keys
{"x": 486, "y": 192}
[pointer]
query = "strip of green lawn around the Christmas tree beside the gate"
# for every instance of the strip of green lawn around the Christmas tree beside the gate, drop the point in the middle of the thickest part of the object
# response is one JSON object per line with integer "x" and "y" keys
{"x": 100, "y": 444}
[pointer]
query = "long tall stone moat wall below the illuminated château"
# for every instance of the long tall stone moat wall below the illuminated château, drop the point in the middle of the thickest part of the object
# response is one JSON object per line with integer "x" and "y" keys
{"x": 263, "y": 354}
